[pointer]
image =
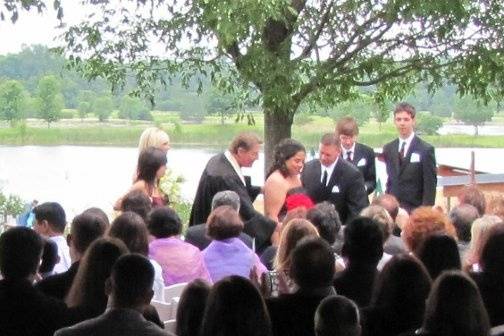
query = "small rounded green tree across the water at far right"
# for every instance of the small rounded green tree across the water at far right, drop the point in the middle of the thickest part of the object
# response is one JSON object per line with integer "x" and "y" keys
{"x": 472, "y": 112}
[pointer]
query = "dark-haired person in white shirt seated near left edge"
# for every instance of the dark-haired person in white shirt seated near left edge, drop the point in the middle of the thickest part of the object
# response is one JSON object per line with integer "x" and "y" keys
{"x": 50, "y": 222}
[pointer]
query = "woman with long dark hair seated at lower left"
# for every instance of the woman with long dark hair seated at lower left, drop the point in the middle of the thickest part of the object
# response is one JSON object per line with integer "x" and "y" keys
{"x": 86, "y": 297}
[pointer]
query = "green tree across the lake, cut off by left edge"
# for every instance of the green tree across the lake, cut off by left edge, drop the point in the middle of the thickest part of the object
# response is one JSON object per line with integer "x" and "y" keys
{"x": 12, "y": 101}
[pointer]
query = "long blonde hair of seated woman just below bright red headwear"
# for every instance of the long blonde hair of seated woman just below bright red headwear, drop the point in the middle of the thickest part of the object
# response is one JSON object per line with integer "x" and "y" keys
{"x": 292, "y": 233}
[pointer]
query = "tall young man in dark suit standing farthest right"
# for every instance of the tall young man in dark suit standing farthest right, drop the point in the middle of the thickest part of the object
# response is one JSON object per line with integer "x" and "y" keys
{"x": 410, "y": 162}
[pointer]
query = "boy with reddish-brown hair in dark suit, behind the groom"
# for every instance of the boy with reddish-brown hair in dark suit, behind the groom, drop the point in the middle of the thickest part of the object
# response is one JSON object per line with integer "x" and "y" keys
{"x": 360, "y": 155}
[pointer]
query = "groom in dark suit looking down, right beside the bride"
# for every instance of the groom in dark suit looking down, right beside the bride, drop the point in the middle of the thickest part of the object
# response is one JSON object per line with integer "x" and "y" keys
{"x": 332, "y": 179}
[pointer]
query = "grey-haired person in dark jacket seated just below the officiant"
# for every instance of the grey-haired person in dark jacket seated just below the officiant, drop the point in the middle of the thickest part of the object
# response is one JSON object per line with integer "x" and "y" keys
{"x": 196, "y": 234}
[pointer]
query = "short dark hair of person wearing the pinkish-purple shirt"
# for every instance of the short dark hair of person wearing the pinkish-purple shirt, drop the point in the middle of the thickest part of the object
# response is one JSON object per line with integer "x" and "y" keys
{"x": 164, "y": 222}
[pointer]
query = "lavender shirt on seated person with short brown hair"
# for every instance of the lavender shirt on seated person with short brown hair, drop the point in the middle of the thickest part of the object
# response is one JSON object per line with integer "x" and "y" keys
{"x": 231, "y": 257}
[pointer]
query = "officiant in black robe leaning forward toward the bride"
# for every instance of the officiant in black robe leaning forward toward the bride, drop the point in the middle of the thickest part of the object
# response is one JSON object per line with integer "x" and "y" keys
{"x": 223, "y": 172}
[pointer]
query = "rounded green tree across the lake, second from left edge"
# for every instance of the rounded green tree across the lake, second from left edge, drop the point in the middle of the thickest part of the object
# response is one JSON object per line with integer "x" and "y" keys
{"x": 49, "y": 99}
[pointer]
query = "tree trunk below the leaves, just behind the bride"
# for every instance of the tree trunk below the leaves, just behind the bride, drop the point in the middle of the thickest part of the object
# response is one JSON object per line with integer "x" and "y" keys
{"x": 277, "y": 126}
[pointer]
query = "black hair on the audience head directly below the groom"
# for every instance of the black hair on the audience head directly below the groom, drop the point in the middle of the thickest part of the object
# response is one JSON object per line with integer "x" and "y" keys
{"x": 363, "y": 241}
